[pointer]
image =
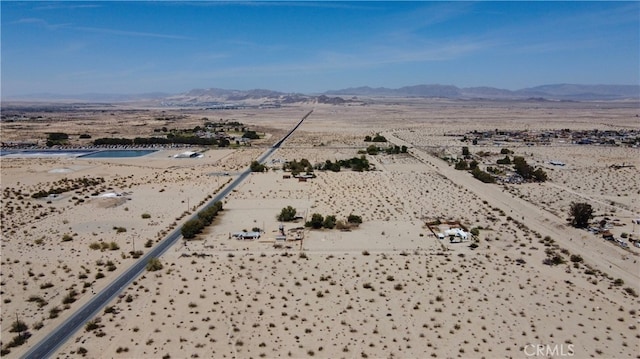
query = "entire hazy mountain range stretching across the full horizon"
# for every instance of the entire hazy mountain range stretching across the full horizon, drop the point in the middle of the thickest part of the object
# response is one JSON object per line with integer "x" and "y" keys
{"x": 557, "y": 92}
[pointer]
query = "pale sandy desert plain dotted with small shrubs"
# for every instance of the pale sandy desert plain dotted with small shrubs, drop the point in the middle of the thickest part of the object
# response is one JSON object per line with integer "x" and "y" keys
{"x": 526, "y": 284}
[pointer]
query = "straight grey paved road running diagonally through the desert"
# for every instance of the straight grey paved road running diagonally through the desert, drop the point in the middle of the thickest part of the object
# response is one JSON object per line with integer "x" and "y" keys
{"x": 49, "y": 344}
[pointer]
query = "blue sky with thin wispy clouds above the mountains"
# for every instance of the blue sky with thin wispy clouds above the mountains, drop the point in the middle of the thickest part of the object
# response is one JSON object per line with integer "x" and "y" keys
{"x": 137, "y": 47}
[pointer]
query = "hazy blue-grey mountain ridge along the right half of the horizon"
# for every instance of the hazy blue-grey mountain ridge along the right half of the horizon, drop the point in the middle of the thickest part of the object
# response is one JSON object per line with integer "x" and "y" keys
{"x": 549, "y": 92}
